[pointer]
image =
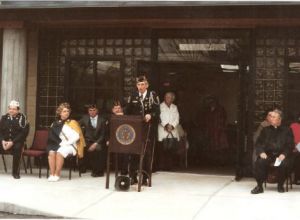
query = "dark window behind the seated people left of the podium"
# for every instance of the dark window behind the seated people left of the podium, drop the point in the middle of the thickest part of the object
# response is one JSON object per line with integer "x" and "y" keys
{"x": 93, "y": 81}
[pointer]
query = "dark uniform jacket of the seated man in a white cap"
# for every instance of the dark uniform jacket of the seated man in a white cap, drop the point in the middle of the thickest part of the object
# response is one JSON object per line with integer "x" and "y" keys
{"x": 14, "y": 129}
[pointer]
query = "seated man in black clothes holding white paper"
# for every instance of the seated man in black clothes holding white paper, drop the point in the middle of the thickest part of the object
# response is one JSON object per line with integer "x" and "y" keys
{"x": 273, "y": 144}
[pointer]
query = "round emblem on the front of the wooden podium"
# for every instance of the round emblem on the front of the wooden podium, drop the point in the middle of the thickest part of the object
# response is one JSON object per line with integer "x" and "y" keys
{"x": 125, "y": 134}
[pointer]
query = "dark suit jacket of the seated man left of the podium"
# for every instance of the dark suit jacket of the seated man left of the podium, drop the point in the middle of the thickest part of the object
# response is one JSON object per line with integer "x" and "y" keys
{"x": 93, "y": 135}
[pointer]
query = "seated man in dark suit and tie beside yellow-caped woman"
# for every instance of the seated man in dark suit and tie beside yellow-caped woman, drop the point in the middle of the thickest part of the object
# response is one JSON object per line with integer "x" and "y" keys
{"x": 93, "y": 127}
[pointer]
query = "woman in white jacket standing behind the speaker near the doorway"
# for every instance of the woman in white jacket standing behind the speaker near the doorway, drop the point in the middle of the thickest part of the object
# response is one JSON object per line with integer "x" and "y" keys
{"x": 167, "y": 128}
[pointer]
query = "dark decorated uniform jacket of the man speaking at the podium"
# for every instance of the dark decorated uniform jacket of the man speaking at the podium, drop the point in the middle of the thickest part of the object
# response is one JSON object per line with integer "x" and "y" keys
{"x": 139, "y": 106}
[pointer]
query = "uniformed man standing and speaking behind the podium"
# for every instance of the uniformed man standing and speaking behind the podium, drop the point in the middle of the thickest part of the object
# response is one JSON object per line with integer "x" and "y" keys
{"x": 145, "y": 103}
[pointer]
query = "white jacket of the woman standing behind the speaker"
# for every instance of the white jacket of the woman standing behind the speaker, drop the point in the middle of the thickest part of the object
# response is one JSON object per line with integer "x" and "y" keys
{"x": 168, "y": 115}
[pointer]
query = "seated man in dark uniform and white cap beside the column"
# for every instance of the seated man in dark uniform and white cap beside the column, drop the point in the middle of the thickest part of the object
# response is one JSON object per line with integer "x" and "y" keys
{"x": 14, "y": 129}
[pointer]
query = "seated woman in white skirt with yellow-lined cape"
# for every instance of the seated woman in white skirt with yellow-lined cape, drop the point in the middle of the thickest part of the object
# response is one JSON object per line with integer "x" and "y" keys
{"x": 65, "y": 138}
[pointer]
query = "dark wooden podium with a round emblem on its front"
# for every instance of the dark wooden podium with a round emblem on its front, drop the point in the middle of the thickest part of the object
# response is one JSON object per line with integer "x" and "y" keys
{"x": 127, "y": 136}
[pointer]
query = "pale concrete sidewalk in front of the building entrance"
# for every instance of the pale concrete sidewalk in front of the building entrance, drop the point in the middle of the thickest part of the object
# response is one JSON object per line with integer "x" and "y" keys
{"x": 172, "y": 196}
